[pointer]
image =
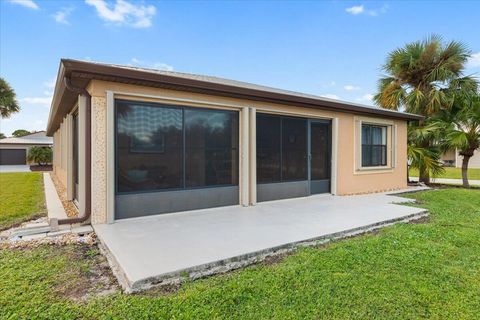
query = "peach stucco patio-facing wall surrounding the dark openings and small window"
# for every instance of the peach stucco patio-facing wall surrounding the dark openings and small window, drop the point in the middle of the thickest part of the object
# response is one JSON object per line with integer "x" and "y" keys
{"x": 350, "y": 180}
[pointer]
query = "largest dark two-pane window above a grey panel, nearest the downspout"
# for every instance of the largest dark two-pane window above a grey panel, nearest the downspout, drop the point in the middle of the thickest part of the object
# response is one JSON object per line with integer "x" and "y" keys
{"x": 161, "y": 147}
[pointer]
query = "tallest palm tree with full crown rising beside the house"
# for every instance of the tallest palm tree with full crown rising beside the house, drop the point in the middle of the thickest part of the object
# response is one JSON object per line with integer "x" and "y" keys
{"x": 423, "y": 78}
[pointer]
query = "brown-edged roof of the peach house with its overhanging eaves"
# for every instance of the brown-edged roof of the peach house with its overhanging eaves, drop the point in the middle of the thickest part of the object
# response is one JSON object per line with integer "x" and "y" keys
{"x": 81, "y": 72}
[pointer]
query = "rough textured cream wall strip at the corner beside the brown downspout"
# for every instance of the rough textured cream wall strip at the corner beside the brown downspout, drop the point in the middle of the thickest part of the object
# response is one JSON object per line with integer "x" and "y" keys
{"x": 99, "y": 160}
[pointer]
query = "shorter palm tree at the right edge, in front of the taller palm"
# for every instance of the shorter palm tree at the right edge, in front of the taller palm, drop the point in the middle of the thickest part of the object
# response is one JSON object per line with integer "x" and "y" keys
{"x": 461, "y": 127}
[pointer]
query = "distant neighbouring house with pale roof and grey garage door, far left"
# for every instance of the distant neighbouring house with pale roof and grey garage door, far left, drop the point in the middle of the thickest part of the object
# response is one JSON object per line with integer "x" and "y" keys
{"x": 14, "y": 151}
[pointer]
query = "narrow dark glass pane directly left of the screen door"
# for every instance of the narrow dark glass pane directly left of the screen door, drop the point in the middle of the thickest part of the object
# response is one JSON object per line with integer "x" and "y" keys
{"x": 294, "y": 149}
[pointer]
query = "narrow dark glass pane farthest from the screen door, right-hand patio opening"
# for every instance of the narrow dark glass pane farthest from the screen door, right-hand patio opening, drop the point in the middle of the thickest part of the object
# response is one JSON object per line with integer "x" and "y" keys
{"x": 268, "y": 148}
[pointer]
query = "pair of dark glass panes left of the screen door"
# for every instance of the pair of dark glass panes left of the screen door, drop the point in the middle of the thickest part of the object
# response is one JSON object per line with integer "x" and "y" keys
{"x": 281, "y": 149}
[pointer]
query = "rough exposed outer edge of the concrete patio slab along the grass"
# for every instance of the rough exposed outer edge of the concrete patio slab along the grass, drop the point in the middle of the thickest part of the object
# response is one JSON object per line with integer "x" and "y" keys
{"x": 237, "y": 262}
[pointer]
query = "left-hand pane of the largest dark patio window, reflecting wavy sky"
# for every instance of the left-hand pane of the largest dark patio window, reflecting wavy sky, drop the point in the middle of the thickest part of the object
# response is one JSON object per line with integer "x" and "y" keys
{"x": 149, "y": 147}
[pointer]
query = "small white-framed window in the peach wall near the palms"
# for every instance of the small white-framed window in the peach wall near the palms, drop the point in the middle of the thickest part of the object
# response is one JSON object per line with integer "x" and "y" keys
{"x": 374, "y": 145}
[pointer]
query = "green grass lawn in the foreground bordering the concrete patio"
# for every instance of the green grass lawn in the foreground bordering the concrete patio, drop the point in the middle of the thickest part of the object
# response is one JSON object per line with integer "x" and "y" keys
{"x": 407, "y": 271}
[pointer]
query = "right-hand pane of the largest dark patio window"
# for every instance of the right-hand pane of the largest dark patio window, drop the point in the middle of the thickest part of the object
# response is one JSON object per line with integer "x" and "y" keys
{"x": 211, "y": 148}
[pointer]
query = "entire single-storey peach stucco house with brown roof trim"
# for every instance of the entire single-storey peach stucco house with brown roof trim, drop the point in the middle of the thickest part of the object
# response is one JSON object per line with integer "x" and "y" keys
{"x": 132, "y": 142}
